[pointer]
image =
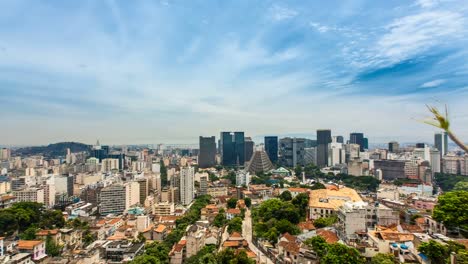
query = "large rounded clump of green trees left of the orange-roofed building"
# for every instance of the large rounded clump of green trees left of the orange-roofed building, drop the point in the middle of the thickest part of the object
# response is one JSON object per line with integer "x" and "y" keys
{"x": 275, "y": 217}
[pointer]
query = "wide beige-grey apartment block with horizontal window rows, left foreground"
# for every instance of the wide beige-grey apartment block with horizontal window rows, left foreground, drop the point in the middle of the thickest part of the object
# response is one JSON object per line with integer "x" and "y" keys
{"x": 112, "y": 200}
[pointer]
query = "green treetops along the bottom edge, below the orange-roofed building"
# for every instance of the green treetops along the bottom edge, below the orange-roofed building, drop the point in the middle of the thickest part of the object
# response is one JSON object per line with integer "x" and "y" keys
{"x": 334, "y": 253}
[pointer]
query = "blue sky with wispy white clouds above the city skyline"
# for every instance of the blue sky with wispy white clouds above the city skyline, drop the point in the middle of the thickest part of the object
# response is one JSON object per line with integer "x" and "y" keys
{"x": 169, "y": 71}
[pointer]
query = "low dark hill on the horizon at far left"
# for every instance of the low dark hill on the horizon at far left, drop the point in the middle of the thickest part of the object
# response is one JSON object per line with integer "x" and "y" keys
{"x": 53, "y": 150}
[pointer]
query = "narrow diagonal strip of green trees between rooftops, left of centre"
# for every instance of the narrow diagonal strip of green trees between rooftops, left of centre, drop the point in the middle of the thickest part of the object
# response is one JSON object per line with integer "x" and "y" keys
{"x": 190, "y": 217}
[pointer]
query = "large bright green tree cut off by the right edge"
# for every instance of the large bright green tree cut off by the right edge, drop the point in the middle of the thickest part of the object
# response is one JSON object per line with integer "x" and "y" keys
{"x": 452, "y": 209}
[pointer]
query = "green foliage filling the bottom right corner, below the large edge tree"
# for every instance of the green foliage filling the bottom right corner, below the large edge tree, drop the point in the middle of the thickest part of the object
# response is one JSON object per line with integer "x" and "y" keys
{"x": 439, "y": 253}
